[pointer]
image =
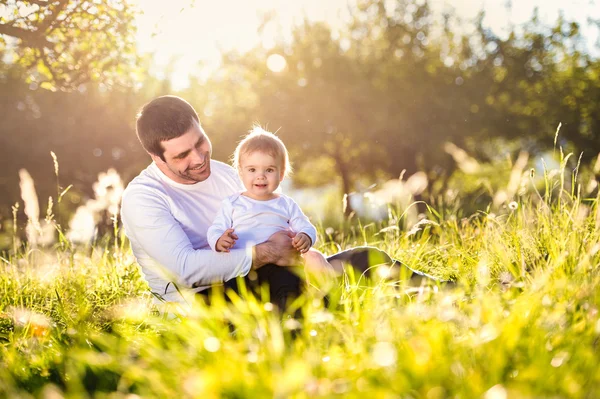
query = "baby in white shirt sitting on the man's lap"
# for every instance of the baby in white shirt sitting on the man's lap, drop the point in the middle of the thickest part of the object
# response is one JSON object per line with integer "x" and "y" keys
{"x": 252, "y": 216}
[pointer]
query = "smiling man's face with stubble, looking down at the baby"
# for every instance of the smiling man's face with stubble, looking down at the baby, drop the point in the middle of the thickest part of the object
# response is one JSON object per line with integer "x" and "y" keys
{"x": 187, "y": 157}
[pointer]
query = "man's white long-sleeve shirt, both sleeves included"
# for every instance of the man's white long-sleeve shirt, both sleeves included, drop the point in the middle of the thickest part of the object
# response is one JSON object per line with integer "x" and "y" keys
{"x": 166, "y": 223}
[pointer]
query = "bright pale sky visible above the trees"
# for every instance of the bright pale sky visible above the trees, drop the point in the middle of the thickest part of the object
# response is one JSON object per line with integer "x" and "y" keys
{"x": 194, "y": 32}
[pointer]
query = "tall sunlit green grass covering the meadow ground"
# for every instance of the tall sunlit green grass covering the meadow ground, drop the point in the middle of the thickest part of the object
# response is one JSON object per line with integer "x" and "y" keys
{"x": 522, "y": 320}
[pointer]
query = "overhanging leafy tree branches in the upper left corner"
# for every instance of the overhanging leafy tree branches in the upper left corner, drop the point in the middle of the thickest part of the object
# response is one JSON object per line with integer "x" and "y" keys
{"x": 64, "y": 43}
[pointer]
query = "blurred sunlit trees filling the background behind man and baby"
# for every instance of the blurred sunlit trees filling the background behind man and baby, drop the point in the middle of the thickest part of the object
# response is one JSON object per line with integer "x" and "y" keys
{"x": 356, "y": 104}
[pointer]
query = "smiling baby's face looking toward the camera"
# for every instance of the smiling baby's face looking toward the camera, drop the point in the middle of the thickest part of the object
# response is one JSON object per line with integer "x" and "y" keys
{"x": 261, "y": 175}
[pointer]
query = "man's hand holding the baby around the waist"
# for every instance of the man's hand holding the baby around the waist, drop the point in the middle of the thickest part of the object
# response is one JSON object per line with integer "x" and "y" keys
{"x": 278, "y": 249}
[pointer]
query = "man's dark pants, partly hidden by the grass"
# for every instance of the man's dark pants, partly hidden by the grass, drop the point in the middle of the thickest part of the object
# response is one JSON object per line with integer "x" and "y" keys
{"x": 285, "y": 284}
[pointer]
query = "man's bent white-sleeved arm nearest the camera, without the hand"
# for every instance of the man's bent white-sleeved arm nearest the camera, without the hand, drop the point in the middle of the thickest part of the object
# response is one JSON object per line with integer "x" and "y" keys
{"x": 150, "y": 225}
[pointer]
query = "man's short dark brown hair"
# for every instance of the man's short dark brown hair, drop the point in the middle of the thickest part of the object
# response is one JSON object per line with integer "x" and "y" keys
{"x": 164, "y": 118}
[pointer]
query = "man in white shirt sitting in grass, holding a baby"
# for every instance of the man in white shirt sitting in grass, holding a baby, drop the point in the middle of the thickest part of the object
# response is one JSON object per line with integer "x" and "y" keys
{"x": 168, "y": 208}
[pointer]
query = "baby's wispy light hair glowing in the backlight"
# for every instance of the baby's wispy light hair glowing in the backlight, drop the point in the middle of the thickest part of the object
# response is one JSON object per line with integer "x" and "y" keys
{"x": 260, "y": 140}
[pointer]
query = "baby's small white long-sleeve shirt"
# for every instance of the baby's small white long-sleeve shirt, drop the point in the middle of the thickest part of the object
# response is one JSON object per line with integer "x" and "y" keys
{"x": 255, "y": 221}
